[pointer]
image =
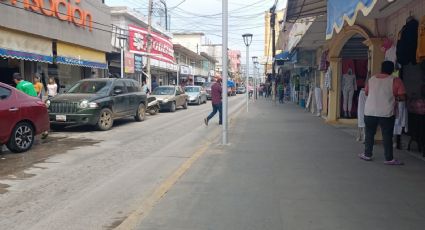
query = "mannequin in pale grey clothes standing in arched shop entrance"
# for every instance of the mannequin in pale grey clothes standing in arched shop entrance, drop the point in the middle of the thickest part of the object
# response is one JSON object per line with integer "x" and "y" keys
{"x": 349, "y": 85}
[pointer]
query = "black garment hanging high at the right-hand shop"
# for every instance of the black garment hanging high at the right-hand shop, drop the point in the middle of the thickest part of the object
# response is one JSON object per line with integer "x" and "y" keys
{"x": 408, "y": 43}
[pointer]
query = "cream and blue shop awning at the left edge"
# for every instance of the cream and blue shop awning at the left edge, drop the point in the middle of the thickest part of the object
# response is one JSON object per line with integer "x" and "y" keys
{"x": 25, "y": 46}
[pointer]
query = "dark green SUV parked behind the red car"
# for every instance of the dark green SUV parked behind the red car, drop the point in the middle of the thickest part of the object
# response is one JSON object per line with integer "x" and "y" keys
{"x": 98, "y": 102}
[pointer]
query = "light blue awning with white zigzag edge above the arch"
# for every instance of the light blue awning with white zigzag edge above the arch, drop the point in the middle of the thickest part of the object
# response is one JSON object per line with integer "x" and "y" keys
{"x": 345, "y": 11}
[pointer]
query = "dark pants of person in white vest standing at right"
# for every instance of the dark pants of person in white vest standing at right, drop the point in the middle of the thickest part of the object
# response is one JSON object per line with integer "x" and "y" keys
{"x": 387, "y": 127}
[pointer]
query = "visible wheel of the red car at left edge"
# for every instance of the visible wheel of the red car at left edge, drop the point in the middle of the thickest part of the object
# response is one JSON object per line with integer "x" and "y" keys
{"x": 22, "y": 138}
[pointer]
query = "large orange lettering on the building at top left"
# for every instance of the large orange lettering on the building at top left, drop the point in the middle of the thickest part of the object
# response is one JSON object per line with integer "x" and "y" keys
{"x": 62, "y": 10}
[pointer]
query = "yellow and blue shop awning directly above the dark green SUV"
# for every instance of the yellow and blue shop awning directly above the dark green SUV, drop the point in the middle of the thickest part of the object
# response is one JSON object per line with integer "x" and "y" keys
{"x": 80, "y": 56}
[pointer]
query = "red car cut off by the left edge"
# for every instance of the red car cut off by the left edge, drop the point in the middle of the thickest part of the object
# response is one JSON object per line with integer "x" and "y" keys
{"x": 21, "y": 118}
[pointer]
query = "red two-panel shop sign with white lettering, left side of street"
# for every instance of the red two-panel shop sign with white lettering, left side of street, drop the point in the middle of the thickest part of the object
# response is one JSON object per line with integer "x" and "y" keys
{"x": 161, "y": 49}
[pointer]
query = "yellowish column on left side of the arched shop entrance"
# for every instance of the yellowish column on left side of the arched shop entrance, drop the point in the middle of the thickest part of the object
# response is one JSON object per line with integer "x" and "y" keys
{"x": 334, "y": 95}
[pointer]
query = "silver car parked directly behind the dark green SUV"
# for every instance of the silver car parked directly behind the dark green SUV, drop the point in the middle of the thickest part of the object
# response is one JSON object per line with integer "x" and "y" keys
{"x": 170, "y": 97}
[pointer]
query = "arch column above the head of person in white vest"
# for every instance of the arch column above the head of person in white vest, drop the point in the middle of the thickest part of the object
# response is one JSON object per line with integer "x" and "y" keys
{"x": 377, "y": 56}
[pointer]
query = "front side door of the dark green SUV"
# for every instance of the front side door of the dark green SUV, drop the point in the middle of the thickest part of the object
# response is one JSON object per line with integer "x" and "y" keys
{"x": 120, "y": 98}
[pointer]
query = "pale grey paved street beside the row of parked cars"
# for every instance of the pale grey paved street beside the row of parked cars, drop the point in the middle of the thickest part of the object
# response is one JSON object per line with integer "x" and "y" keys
{"x": 95, "y": 180}
